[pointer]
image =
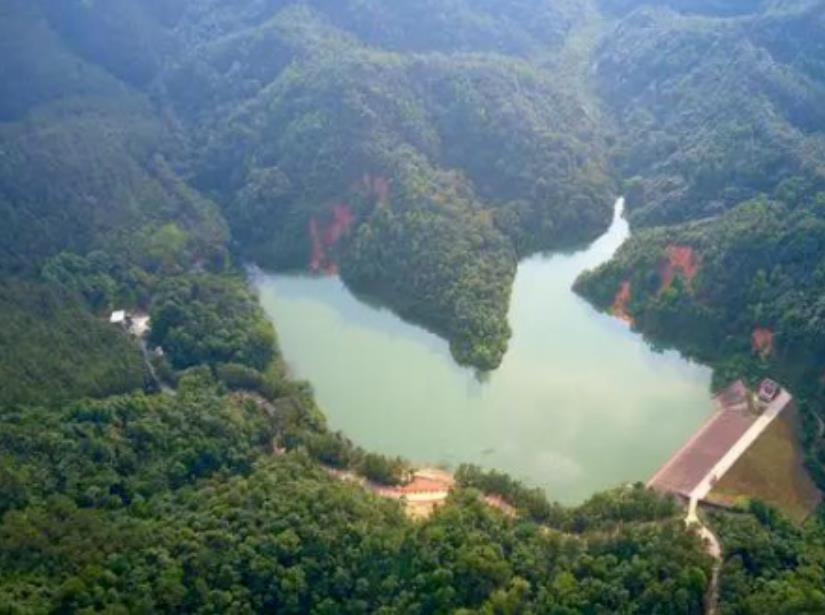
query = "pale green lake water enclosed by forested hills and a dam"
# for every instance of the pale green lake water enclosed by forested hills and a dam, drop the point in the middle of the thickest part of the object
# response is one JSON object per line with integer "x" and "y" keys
{"x": 579, "y": 404}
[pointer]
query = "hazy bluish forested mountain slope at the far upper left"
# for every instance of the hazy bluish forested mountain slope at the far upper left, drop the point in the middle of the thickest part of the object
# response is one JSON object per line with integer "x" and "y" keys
{"x": 81, "y": 152}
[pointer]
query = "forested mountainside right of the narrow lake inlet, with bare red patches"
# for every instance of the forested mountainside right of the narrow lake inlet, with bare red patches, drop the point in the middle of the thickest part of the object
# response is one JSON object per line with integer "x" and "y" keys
{"x": 722, "y": 125}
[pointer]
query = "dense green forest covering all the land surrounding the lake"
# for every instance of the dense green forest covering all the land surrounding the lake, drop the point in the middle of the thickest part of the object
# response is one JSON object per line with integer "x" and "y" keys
{"x": 151, "y": 148}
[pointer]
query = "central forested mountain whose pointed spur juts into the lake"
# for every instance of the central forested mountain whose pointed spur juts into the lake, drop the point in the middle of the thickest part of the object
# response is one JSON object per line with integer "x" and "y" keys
{"x": 441, "y": 169}
